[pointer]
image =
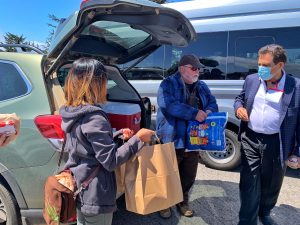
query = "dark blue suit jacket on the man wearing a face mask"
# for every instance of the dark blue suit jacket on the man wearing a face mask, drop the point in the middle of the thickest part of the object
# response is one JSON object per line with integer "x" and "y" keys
{"x": 289, "y": 116}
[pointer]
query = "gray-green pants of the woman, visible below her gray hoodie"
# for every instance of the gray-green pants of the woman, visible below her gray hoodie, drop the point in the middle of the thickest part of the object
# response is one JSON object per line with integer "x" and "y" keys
{"x": 100, "y": 219}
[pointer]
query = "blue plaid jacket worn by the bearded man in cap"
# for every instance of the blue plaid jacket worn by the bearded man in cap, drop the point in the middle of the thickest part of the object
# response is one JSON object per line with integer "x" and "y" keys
{"x": 174, "y": 112}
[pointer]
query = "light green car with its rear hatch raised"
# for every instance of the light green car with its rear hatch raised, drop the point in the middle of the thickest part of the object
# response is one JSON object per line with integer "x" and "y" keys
{"x": 30, "y": 85}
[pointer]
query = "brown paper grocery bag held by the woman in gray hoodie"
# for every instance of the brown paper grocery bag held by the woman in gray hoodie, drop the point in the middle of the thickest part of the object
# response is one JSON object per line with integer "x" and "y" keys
{"x": 152, "y": 181}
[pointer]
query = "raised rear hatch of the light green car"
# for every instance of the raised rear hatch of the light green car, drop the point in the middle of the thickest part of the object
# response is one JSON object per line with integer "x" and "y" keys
{"x": 116, "y": 32}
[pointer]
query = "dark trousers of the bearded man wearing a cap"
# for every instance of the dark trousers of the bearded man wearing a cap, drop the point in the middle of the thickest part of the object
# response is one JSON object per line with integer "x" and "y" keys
{"x": 187, "y": 165}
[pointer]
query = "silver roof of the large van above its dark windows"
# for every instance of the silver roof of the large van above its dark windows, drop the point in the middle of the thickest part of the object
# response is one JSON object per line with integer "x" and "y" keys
{"x": 230, "y": 15}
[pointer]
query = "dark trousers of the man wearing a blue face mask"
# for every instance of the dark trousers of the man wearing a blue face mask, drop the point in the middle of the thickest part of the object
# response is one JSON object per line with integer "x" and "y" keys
{"x": 261, "y": 175}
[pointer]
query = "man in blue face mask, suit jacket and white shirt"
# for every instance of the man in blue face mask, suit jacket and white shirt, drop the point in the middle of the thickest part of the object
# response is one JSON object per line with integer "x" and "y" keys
{"x": 269, "y": 109}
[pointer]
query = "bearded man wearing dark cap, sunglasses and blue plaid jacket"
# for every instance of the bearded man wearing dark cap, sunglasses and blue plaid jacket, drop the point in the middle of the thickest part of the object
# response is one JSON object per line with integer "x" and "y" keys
{"x": 182, "y": 97}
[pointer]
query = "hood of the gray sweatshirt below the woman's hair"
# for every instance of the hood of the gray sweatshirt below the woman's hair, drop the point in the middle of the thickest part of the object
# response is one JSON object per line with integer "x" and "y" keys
{"x": 71, "y": 114}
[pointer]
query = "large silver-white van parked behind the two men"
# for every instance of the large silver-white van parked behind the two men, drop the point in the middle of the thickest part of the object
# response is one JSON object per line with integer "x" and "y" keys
{"x": 230, "y": 33}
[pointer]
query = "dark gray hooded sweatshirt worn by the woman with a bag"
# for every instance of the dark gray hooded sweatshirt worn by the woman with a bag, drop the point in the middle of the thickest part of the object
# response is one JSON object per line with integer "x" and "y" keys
{"x": 90, "y": 143}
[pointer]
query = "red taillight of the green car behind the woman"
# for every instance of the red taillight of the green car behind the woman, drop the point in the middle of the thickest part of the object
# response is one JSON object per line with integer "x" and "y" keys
{"x": 50, "y": 127}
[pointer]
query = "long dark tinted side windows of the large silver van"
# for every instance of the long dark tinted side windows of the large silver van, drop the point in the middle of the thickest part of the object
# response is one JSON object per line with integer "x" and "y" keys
{"x": 212, "y": 50}
